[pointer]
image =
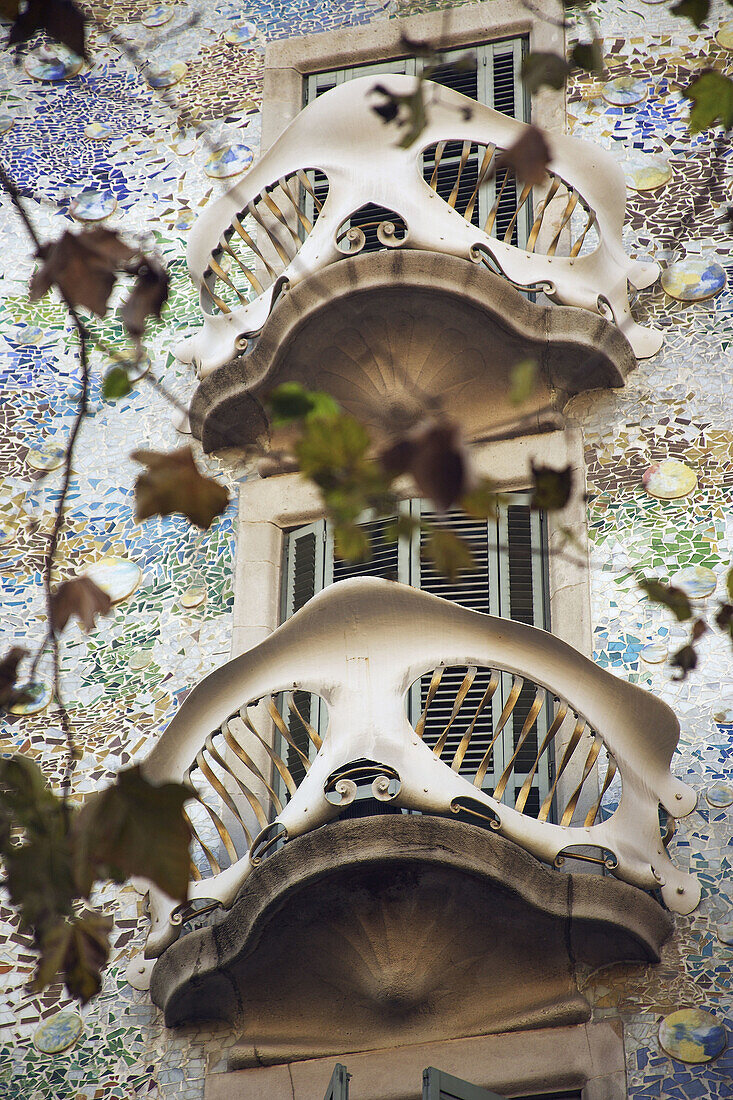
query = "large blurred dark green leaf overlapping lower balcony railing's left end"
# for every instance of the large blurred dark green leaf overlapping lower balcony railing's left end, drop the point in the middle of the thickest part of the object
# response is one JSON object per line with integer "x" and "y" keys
{"x": 135, "y": 829}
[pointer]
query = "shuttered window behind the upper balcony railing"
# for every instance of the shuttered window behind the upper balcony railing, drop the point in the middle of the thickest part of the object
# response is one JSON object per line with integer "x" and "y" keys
{"x": 455, "y": 170}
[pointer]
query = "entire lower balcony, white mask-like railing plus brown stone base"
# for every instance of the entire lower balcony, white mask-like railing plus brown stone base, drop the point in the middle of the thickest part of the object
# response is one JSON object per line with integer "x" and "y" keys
{"x": 346, "y": 843}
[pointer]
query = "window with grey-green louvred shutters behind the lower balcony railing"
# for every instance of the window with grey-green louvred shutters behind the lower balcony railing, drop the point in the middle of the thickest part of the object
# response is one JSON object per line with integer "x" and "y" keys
{"x": 509, "y": 580}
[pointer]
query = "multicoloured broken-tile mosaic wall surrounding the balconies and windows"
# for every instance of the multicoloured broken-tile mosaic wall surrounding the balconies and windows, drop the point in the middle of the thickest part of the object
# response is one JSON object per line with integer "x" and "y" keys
{"x": 100, "y": 145}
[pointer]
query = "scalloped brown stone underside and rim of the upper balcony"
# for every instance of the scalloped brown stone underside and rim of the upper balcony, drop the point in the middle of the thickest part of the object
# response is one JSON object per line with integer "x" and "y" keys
{"x": 389, "y": 333}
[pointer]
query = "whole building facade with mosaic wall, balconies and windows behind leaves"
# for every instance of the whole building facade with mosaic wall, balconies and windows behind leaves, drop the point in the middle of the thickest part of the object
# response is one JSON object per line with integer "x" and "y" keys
{"x": 589, "y": 1013}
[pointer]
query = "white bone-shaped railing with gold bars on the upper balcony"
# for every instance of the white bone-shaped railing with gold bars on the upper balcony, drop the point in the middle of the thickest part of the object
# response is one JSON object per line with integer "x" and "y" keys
{"x": 300, "y": 208}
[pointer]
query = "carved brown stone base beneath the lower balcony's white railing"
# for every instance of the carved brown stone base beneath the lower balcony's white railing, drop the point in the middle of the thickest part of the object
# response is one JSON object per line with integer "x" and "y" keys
{"x": 399, "y": 930}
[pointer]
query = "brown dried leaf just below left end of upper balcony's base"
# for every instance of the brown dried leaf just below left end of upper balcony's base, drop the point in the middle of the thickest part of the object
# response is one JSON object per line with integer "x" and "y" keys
{"x": 172, "y": 483}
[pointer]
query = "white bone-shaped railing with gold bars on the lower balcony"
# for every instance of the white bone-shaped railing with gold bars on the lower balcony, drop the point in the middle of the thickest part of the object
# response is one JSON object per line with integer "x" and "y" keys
{"x": 266, "y": 771}
